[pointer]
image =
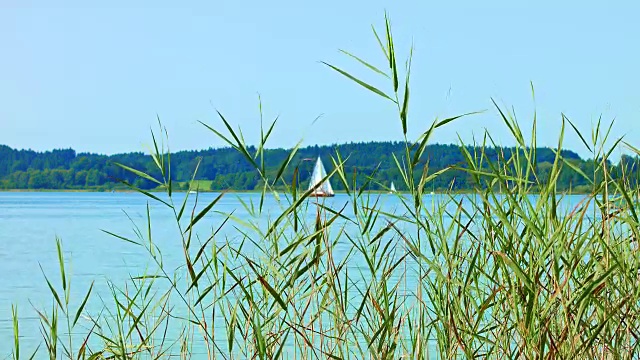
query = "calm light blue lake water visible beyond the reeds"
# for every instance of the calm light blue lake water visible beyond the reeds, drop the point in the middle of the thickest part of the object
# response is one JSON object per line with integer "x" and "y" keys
{"x": 30, "y": 223}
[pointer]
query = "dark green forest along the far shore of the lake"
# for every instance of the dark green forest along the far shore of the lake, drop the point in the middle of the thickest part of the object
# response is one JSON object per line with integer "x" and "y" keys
{"x": 227, "y": 169}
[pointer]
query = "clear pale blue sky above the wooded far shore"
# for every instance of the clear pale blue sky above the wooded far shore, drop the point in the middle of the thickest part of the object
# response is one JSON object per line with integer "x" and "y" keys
{"x": 93, "y": 76}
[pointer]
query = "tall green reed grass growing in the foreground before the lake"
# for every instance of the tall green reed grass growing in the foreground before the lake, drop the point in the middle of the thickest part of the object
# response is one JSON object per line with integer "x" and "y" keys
{"x": 499, "y": 273}
